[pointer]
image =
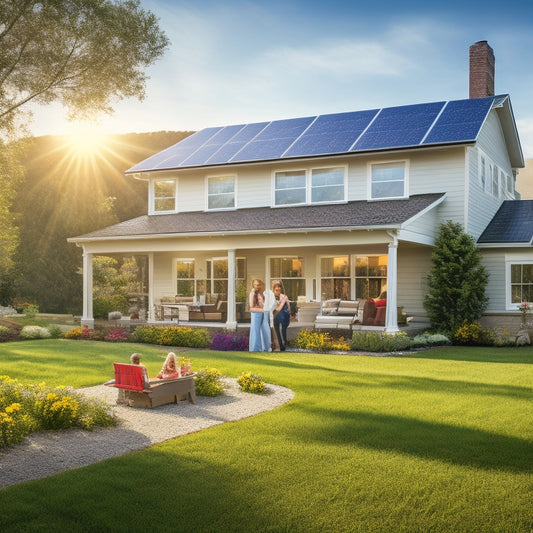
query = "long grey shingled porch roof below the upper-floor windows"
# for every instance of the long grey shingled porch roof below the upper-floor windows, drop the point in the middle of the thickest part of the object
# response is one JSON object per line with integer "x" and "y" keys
{"x": 357, "y": 214}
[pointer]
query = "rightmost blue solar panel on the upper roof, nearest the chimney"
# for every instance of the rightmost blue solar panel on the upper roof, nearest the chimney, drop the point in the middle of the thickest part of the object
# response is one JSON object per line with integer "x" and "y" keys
{"x": 461, "y": 120}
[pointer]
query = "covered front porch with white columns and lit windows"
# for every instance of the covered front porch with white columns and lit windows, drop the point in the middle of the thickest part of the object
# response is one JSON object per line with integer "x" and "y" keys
{"x": 202, "y": 282}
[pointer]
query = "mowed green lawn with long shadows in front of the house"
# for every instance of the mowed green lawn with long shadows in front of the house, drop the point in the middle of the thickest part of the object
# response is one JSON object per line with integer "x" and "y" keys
{"x": 441, "y": 440}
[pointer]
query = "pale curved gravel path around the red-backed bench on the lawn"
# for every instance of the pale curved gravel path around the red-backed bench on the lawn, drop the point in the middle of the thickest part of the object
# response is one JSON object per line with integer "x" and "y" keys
{"x": 46, "y": 453}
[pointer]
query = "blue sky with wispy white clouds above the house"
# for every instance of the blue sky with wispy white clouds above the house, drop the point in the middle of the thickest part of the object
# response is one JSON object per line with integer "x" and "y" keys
{"x": 234, "y": 61}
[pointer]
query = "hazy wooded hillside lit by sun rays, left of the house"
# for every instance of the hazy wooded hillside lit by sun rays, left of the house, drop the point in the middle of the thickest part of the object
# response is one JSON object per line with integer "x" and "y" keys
{"x": 69, "y": 192}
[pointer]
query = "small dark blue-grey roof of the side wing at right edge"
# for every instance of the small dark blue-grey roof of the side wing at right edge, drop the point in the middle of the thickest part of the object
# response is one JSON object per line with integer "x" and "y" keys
{"x": 511, "y": 225}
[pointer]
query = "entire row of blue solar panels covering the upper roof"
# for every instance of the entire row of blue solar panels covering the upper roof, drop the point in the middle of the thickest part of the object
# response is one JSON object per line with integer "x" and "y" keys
{"x": 338, "y": 133}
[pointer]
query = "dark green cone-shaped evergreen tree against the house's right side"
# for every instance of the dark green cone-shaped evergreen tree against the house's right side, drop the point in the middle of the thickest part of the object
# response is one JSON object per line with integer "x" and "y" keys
{"x": 456, "y": 281}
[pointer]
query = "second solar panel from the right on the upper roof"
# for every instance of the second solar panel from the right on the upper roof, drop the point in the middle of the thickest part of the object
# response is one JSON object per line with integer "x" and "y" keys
{"x": 399, "y": 126}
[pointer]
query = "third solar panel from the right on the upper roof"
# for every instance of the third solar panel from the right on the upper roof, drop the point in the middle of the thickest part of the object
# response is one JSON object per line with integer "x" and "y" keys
{"x": 330, "y": 134}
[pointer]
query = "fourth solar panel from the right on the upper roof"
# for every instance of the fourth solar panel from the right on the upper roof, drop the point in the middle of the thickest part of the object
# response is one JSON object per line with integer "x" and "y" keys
{"x": 273, "y": 140}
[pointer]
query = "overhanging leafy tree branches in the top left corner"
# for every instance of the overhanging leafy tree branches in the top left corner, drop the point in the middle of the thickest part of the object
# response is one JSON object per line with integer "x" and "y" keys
{"x": 85, "y": 54}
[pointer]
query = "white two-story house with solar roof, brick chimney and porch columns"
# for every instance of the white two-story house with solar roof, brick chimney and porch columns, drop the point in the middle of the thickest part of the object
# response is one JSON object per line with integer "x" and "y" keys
{"x": 336, "y": 206}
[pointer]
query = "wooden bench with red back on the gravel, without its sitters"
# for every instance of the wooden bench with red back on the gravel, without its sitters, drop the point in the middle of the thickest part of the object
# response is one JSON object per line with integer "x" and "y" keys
{"x": 129, "y": 378}
